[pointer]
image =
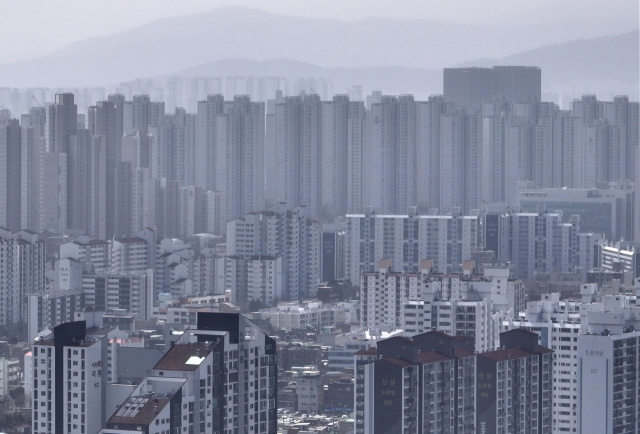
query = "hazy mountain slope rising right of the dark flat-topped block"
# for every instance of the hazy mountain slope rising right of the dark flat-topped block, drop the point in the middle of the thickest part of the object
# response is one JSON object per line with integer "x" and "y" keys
{"x": 609, "y": 59}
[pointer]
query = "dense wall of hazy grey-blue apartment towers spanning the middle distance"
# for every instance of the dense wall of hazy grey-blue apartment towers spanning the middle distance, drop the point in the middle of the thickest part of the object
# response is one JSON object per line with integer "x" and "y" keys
{"x": 334, "y": 156}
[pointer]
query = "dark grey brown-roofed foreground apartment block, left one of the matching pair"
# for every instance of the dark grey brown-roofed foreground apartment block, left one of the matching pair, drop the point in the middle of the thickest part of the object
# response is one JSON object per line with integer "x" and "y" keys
{"x": 411, "y": 386}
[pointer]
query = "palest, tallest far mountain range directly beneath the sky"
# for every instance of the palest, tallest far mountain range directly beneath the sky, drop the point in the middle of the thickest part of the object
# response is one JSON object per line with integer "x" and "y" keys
{"x": 177, "y": 43}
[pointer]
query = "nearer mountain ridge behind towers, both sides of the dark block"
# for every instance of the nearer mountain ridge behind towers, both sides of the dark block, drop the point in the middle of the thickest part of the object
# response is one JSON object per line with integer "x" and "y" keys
{"x": 576, "y": 66}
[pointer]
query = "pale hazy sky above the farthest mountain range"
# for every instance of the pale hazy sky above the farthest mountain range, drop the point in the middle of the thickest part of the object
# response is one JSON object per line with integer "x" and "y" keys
{"x": 29, "y": 28}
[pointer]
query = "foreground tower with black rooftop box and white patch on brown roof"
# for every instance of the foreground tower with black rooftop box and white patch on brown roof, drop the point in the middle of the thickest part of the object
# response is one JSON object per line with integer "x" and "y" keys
{"x": 245, "y": 397}
